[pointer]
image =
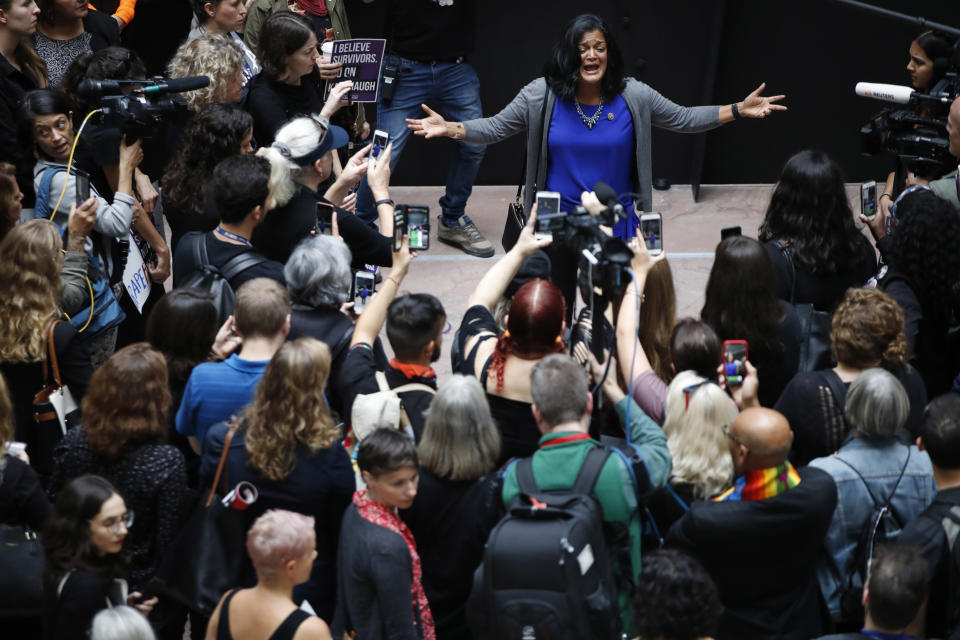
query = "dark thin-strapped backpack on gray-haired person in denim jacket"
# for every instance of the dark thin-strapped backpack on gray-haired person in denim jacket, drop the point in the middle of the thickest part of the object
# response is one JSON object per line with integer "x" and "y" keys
{"x": 884, "y": 524}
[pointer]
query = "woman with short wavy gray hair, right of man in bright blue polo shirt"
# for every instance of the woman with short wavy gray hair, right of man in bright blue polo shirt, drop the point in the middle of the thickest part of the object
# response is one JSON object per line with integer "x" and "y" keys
{"x": 319, "y": 278}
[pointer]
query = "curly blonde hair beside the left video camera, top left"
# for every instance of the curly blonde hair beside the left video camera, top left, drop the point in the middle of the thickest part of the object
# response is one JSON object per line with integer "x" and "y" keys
{"x": 214, "y": 55}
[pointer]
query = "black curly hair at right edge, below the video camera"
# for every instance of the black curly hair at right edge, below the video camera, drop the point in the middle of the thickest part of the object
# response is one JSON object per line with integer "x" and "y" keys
{"x": 924, "y": 249}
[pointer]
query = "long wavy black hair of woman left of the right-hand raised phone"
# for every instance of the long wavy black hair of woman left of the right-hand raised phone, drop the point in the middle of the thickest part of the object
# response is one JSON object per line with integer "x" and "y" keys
{"x": 810, "y": 213}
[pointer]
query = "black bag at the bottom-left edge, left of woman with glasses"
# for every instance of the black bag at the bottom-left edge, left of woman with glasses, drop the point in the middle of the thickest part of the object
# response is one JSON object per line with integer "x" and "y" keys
{"x": 21, "y": 572}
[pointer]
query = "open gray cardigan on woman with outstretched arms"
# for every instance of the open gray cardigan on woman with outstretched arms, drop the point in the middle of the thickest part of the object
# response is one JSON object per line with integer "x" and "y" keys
{"x": 646, "y": 105}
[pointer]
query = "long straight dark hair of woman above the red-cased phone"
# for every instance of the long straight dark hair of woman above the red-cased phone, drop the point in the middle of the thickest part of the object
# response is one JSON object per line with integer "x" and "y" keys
{"x": 741, "y": 299}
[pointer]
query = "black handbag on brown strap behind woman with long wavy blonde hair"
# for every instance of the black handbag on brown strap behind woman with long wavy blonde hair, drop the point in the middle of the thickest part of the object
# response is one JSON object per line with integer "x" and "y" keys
{"x": 207, "y": 558}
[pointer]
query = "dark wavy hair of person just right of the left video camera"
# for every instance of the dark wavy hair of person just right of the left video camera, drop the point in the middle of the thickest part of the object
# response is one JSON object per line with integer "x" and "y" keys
{"x": 214, "y": 134}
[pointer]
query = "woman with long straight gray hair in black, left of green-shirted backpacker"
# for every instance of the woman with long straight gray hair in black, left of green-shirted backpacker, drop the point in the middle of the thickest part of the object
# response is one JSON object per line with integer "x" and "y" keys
{"x": 458, "y": 500}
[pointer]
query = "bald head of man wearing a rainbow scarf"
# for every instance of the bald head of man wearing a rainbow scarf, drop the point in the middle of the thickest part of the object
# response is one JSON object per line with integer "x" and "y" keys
{"x": 760, "y": 439}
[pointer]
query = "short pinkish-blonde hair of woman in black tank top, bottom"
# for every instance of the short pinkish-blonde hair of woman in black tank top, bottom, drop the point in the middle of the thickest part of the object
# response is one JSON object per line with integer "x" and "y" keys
{"x": 277, "y": 537}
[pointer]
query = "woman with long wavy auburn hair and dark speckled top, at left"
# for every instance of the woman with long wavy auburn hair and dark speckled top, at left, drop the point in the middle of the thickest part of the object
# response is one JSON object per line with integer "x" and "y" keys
{"x": 124, "y": 428}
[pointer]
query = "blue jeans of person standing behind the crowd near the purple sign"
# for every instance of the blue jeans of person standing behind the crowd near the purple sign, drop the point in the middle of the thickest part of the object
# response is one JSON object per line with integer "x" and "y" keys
{"x": 452, "y": 90}
